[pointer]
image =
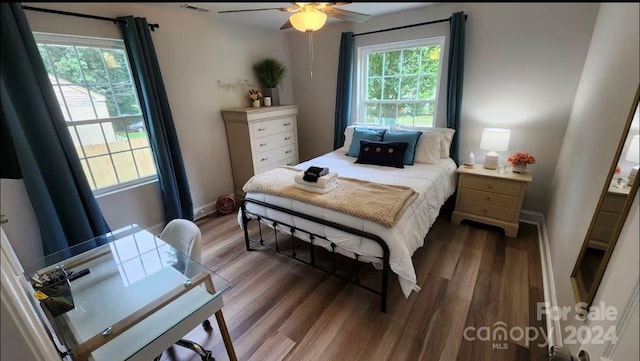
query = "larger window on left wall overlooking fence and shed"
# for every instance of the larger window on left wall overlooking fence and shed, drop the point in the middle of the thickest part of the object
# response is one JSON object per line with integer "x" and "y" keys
{"x": 92, "y": 81}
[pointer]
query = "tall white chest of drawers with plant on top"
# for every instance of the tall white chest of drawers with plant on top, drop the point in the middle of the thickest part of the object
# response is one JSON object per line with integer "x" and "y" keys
{"x": 260, "y": 139}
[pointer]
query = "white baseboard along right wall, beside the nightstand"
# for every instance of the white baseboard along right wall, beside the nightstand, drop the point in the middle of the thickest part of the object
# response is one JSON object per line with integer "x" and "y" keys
{"x": 548, "y": 283}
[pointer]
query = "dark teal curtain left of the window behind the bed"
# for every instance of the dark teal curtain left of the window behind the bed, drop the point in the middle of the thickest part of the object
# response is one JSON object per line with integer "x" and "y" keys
{"x": 344, "y": 89}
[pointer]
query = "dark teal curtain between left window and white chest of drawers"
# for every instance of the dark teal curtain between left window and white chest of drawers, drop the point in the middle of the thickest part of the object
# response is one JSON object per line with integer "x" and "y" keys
{"x": 174, "y": 186}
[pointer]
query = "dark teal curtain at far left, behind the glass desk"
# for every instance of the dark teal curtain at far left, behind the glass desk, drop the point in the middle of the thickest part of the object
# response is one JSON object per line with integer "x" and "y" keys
{"x": 66, "y": 211}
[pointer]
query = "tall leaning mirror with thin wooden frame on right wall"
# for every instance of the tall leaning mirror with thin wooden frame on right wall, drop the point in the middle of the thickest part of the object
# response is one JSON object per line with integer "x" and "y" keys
{"x": 611, "y": 212}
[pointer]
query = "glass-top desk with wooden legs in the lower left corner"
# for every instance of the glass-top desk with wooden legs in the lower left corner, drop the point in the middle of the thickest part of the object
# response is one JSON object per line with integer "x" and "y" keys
{"x": 140, "y": 296}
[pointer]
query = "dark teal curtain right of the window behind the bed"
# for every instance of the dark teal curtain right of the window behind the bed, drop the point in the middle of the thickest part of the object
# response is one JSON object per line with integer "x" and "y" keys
{"x": 455, "y": 77}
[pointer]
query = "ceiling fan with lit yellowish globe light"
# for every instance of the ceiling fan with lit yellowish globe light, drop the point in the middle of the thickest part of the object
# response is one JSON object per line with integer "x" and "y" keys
{"x": 308, "y": 17}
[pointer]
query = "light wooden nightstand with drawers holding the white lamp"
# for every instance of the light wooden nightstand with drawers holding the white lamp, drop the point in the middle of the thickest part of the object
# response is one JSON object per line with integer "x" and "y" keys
{"x": 491, "y": 197}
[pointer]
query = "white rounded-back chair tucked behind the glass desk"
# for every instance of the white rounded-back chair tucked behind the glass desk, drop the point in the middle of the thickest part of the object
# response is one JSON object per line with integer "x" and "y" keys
{"x": 185, "y": 236}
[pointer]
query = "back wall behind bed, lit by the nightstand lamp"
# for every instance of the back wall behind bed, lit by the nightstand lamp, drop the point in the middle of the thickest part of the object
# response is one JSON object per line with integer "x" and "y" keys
{"x": 522, "y": 67}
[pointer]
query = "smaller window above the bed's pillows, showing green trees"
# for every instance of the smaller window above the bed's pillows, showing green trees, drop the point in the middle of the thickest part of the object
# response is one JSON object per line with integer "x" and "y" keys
{"x": 398, "y": 82}
